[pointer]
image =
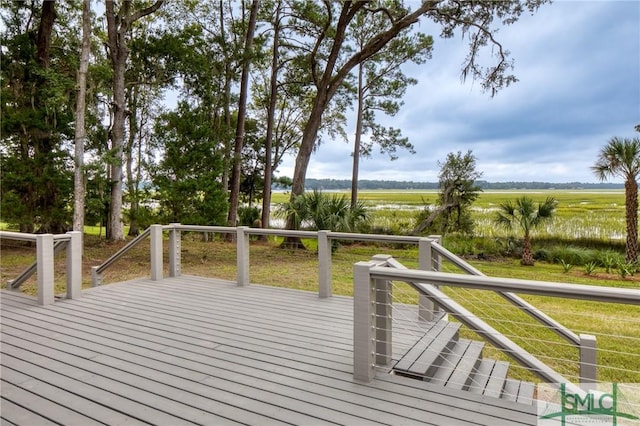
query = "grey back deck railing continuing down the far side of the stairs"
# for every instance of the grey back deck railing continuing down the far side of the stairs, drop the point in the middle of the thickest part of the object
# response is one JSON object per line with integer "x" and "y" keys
{"x": 431, "y": 258}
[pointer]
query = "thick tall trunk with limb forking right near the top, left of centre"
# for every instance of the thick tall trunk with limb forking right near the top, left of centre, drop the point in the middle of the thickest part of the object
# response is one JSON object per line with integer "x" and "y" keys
{"x": 118, "y": 30}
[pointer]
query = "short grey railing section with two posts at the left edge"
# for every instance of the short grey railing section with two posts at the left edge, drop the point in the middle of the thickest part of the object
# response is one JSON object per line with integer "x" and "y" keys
{"x": 47, "y": 245}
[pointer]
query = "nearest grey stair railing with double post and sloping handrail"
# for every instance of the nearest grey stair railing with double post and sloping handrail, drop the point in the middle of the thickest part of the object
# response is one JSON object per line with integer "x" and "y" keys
{"x": 373, "y": 313}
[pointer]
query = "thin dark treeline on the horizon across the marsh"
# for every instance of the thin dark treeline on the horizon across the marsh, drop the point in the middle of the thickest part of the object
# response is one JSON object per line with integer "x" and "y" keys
{"x": 340, "y": 184}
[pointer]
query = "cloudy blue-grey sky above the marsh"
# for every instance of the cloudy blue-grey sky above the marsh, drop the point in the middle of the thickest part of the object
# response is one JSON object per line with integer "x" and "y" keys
{"x": 578, "y": 66}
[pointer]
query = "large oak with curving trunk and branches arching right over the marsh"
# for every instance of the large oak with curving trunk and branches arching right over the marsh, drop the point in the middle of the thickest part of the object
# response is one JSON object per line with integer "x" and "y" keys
{"x": 330, "y": 64}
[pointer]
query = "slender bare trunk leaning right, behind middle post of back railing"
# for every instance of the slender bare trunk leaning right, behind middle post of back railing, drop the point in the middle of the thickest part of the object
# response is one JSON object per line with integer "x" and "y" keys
{"x": 236, "y": 174}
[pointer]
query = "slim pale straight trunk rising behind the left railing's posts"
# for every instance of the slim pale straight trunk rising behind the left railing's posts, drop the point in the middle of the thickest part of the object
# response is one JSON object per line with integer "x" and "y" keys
{"x": 80, "y": 131}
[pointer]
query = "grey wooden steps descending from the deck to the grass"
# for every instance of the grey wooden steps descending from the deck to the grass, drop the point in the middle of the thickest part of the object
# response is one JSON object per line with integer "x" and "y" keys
{"x": 440, "y": 357}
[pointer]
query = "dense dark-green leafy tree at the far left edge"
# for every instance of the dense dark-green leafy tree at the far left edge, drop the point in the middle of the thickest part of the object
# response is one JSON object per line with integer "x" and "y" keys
{"x": 37, "y": 112}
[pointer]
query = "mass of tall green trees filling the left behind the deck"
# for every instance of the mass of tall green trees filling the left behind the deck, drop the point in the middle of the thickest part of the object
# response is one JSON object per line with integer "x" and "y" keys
{"x": 163, "y": 99}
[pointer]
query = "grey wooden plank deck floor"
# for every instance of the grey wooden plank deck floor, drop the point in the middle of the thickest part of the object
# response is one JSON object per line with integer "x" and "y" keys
{"x": 192, "y": 350}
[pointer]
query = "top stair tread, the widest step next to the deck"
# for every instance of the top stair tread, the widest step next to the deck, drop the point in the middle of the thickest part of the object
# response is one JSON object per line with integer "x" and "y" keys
{"x": 426, "y": 353}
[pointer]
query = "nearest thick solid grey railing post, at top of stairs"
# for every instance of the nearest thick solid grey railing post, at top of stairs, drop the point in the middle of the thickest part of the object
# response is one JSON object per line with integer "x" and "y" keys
{"x": 363, "y": 323}
